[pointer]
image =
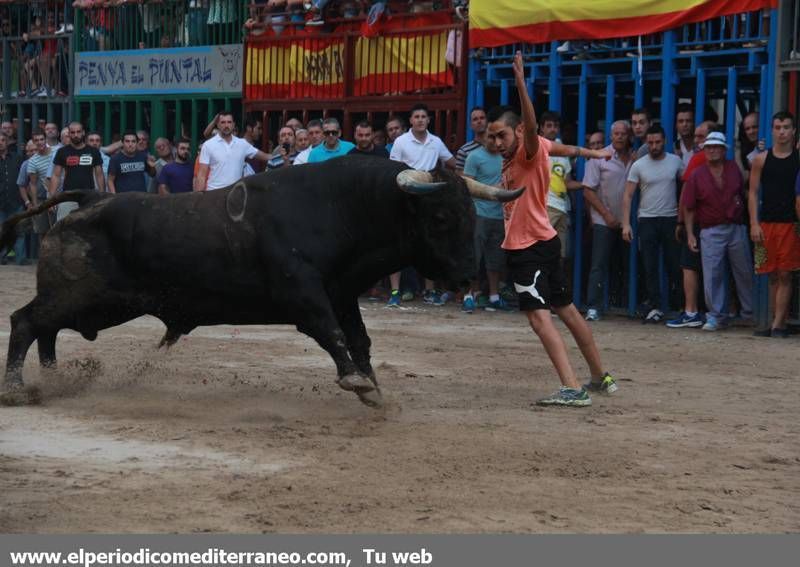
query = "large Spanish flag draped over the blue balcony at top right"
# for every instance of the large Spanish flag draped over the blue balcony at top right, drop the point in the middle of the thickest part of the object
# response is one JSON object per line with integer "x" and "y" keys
{"x": 502, "y": 22}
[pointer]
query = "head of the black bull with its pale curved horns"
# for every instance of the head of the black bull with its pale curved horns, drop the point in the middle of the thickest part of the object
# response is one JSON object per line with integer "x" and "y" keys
{"x": 445, "y": 221}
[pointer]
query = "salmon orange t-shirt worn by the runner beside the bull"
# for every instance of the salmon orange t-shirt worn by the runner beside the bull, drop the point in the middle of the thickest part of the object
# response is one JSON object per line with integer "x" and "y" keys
{"x": 526, "y": 218}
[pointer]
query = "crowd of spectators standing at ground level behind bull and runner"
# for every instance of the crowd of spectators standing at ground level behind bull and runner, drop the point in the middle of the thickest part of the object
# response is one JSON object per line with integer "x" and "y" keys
{"x": 703, "y": 226}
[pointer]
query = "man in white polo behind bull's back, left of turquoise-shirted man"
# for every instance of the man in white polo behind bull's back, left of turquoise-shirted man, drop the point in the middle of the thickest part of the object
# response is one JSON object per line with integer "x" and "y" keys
{"x": 224, "y": 155}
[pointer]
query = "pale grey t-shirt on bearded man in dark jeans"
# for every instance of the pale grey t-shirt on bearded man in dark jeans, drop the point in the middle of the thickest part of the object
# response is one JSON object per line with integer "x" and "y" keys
{"x": 657, "y": 181}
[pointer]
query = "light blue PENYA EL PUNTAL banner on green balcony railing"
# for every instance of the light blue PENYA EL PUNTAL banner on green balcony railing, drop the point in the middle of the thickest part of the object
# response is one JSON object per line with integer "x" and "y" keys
{"x": 213, "y": 69}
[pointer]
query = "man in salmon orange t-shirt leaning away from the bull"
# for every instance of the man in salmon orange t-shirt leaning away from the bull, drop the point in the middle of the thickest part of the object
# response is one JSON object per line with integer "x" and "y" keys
{"x": 534, "y": 251}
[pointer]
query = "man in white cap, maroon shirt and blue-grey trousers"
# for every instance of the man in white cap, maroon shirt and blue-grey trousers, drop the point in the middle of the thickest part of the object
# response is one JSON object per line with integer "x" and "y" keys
{"x": 713, "y": 197}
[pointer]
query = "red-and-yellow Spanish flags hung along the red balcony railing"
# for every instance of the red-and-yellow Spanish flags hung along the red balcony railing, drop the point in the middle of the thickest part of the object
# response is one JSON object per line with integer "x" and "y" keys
{"x": 405, "y": 56}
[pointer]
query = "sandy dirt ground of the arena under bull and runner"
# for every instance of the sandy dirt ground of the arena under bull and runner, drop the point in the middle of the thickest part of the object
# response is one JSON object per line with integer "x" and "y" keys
{"x": 243, "y": 430}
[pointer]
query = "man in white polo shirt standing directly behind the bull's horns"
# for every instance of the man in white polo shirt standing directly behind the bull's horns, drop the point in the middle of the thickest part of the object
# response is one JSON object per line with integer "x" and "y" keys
{"x": 421, "y": 150}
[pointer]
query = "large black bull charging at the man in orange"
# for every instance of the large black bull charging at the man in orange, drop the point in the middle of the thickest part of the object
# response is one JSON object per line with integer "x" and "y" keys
{"x": 295, "y": 246}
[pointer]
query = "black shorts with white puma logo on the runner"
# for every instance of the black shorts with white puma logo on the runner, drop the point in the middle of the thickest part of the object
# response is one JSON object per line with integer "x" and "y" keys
{"x": 539, "y": 280}
